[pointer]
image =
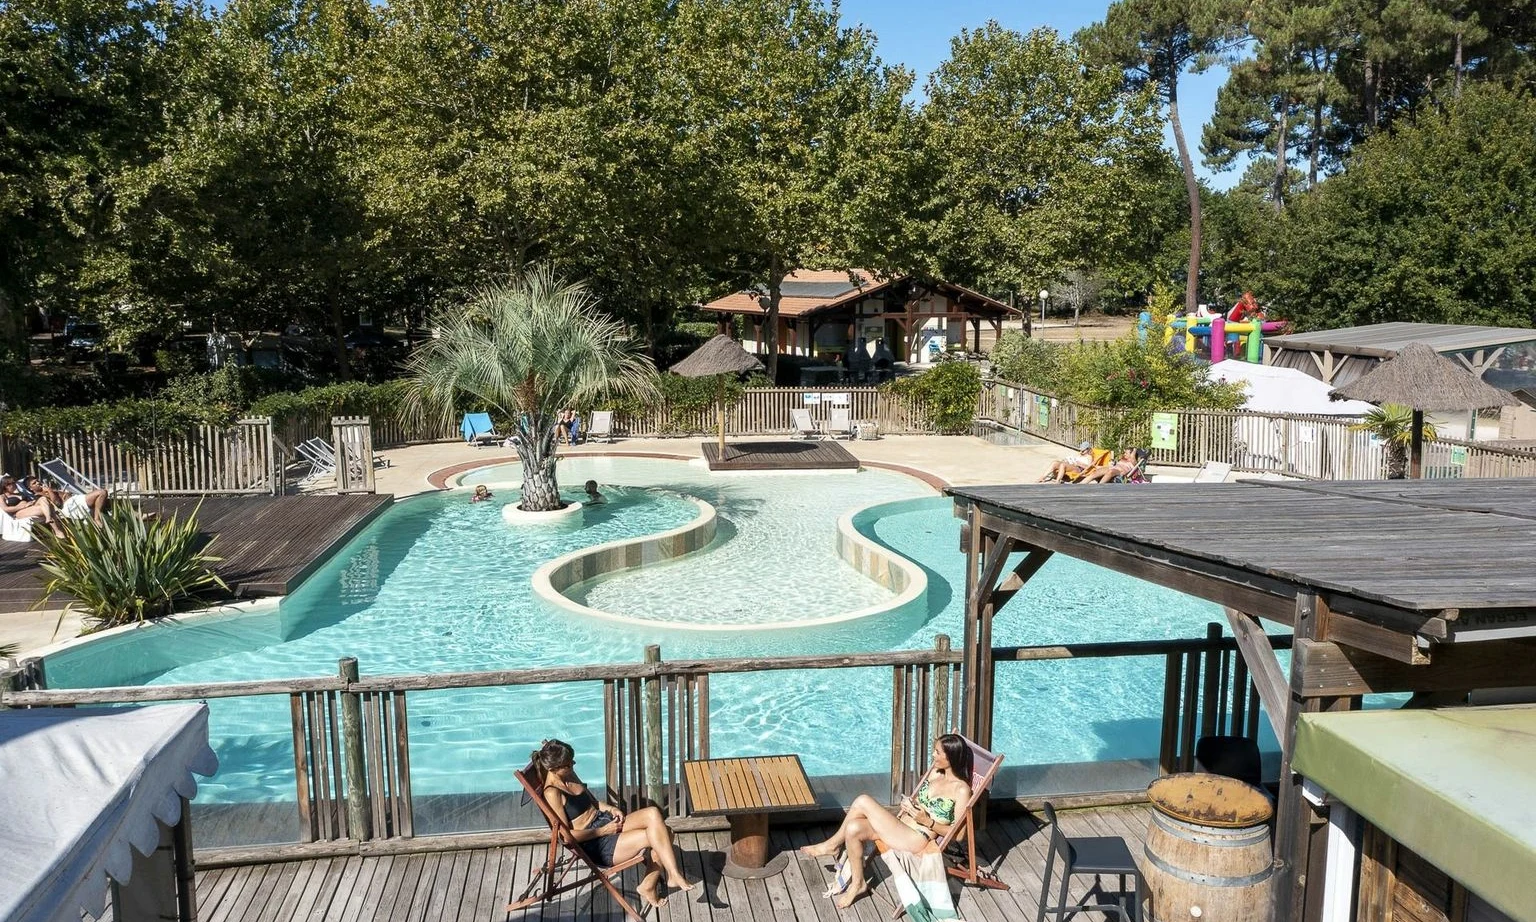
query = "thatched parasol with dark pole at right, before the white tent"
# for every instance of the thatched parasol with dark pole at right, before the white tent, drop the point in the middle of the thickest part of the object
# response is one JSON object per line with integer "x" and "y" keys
{"x": 1423, "y": 380}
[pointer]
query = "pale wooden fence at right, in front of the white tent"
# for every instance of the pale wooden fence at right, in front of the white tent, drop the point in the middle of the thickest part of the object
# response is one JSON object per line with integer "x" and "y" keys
{"x": 1311, "y": 448}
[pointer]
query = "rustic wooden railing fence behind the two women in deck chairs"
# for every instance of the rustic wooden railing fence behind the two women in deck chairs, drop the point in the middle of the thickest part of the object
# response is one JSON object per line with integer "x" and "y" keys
{"x": 353, "y": 751}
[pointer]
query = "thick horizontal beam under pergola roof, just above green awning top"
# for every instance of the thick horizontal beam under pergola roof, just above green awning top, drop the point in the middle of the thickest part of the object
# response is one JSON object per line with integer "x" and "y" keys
{"x": 1329, "y": 669}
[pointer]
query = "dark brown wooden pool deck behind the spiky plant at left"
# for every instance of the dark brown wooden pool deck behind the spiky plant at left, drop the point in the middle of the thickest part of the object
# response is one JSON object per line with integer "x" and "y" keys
{"x": 270, "y": 545}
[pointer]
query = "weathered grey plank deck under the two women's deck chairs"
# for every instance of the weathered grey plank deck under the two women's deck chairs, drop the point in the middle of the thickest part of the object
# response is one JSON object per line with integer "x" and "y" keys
{"x": 477, "y": 886}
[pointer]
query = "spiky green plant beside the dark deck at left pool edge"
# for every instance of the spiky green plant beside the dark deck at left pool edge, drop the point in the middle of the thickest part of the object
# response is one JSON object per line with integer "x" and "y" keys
{"x": 128, "y": 569}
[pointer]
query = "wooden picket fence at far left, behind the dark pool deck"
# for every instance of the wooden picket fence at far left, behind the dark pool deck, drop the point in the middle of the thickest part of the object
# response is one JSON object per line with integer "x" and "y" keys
{"x": 242, "y": 459}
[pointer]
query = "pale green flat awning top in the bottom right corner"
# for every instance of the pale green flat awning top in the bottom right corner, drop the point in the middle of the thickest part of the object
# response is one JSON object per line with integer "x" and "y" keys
{"x": 1457, "y": 786}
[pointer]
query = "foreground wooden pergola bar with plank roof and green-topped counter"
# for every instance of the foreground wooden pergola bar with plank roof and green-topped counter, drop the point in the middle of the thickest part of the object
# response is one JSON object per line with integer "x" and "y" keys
{"x": 1418, "y": 588}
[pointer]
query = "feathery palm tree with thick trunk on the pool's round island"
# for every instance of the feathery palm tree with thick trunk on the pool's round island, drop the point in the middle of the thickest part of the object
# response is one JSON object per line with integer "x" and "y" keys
{"x": 528, "y": 350}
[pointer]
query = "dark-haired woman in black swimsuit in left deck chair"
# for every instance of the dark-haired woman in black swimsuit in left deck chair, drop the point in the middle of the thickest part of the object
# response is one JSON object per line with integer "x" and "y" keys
{"x": 606, "y": 834}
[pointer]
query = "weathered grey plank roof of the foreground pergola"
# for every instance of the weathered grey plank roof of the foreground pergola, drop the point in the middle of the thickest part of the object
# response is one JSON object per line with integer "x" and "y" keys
{"x": 1442, "y": 559}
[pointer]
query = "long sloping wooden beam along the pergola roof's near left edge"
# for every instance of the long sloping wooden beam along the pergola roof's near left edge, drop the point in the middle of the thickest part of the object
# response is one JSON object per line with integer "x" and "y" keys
{"x": 1265, "y": 599}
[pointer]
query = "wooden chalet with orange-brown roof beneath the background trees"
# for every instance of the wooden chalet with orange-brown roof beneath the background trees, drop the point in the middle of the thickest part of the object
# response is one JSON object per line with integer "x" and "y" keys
{"x": 826, "y": 313}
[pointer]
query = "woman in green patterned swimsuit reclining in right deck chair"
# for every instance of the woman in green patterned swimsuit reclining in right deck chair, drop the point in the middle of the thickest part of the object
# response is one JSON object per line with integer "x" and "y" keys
{"x": 918, "y": 823}
